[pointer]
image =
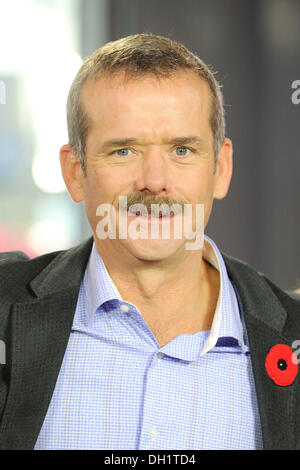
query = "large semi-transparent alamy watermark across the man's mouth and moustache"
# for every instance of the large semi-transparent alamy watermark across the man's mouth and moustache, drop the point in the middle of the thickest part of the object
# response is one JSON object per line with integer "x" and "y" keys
{"x": 164, "y": 222}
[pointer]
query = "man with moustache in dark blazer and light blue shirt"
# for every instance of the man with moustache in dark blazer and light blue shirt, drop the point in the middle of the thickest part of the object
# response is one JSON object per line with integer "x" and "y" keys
{"x": 132, "y": 342}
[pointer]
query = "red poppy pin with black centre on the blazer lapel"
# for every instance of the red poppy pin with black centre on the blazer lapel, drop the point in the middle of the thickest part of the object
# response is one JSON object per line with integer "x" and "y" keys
{"x": 281, "y": 364}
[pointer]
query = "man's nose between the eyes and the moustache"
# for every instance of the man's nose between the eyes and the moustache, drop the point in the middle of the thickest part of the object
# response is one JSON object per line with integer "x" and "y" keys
{"x": 153, "y": 173}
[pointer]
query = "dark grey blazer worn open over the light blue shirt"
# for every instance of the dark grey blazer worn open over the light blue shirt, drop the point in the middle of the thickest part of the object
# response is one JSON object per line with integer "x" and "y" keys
{"x": 38, "y": 300}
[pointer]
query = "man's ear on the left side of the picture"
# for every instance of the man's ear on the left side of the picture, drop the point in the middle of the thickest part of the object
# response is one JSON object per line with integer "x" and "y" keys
{"x": 72, "y": 173}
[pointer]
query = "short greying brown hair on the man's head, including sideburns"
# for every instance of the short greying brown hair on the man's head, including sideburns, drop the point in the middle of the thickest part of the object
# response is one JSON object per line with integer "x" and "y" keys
{"x": 138, "y": 55}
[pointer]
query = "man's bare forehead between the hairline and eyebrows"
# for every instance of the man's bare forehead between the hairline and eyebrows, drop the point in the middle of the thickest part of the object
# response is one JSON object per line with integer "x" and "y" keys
{"x": 183, "y": 96}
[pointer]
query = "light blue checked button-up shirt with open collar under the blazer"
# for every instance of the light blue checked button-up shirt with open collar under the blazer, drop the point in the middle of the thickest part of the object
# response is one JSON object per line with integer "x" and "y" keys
{"x": 118, "y": 389}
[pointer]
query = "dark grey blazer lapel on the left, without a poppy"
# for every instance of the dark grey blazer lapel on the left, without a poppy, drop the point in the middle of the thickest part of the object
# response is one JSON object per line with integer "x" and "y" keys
{"x": 39, "y": 333}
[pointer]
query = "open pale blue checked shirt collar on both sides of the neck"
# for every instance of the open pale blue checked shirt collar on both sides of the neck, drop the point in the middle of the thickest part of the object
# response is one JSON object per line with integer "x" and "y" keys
{"x": 100, "y": 288}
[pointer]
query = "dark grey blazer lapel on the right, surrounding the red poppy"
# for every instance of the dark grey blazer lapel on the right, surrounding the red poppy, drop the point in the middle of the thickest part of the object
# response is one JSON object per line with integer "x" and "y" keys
{"x": 266, "y": 324}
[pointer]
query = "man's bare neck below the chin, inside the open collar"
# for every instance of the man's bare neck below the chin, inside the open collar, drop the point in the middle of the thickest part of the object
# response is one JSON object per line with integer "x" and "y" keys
{"x": 167, "y": 288}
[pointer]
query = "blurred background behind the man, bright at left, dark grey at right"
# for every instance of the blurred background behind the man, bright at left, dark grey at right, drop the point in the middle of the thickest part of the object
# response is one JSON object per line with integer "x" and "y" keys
{"x": 254, "y": 46}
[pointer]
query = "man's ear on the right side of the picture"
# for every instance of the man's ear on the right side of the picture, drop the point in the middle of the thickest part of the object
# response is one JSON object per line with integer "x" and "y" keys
{"x": 223, "y": 171}
